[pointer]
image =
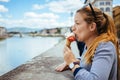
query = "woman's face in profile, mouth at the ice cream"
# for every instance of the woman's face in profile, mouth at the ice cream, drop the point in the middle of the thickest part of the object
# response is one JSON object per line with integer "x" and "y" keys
{"x": 81, "y": 28}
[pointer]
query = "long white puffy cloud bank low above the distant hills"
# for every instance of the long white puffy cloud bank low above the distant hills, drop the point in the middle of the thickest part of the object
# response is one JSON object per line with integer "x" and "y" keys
{"x": 34, "y": 20}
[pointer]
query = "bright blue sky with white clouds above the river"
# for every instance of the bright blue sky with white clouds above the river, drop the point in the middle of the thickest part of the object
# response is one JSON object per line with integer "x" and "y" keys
{"x": 39, "y": 13}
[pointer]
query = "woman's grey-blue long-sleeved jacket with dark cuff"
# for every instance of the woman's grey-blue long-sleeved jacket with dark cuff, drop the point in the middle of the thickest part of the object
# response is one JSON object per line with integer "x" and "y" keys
{"x": 103, "y": 66}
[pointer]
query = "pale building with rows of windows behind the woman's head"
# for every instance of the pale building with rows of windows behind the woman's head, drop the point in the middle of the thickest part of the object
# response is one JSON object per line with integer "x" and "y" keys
{"x": 104, "y": 5}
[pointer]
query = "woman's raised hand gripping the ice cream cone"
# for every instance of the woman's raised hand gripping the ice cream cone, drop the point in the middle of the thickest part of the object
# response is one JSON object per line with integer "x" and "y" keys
{"x": 69, "y": 56}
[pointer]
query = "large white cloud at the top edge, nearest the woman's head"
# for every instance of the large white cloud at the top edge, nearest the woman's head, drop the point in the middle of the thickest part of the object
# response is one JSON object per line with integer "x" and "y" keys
{"x": 63, "y": 6}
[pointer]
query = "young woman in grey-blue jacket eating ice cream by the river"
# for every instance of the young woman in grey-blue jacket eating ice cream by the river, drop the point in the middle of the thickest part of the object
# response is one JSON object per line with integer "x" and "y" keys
{"x": 99, "y": 60}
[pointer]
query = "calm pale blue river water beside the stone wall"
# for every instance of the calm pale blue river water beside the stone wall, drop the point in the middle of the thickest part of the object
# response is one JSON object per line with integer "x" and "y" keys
{"x": 15, "y": 51}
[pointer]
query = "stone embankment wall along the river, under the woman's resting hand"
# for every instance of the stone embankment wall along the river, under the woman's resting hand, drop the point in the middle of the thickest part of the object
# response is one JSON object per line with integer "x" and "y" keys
{"x": 42, "y": 66}
